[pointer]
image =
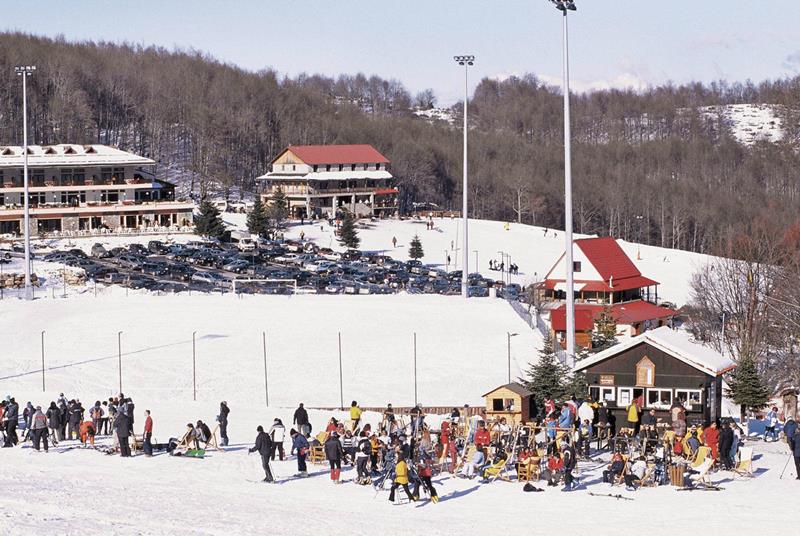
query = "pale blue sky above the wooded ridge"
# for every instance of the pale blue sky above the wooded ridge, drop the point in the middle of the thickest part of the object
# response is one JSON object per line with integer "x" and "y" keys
{"x": 613, "y": 43}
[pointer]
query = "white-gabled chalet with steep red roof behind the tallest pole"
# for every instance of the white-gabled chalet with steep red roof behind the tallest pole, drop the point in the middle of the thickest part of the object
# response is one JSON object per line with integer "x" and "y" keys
{"x": 604, "y": 277}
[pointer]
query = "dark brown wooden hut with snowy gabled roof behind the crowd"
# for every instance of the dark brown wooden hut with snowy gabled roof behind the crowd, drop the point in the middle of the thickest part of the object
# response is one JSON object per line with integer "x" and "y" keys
{"x": 659, "y": 366}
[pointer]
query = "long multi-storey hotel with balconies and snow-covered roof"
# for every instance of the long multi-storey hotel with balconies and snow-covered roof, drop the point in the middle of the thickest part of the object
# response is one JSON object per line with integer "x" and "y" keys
{"x": 85, "y": 188}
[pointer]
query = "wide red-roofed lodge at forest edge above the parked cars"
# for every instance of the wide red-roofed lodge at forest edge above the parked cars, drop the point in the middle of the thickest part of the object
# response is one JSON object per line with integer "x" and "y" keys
{"x": 319, "y": 180}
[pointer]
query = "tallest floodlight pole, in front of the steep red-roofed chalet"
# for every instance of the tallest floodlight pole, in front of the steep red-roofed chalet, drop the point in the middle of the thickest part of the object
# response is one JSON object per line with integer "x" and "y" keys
{"x": 564, "y": 6}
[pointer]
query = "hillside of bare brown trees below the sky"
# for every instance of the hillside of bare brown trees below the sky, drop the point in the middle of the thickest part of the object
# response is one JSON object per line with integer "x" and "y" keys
{"x": 659, "y": 167}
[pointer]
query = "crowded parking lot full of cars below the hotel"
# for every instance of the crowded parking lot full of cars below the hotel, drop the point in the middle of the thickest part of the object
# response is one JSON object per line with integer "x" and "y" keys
{"x": 269, "y": 267}
